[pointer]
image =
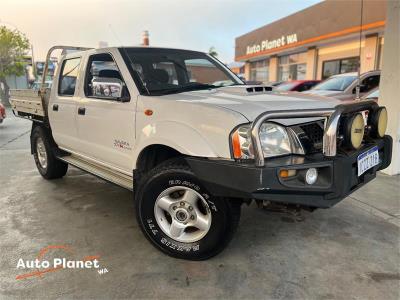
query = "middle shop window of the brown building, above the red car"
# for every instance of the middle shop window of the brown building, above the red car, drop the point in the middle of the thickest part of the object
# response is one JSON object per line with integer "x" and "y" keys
{"x": 292, "y": 67}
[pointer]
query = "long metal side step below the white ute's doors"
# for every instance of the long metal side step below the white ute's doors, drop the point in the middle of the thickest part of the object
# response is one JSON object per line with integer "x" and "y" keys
{"x": 108, "y": 174}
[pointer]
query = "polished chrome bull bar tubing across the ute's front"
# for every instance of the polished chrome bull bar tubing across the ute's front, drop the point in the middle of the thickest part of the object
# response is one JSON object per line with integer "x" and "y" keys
{"x": 333, "y": 116}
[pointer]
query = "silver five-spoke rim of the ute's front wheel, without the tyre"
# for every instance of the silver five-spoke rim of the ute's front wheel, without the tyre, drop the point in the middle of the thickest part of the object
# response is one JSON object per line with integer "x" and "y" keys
{"x": 182, "y": 214}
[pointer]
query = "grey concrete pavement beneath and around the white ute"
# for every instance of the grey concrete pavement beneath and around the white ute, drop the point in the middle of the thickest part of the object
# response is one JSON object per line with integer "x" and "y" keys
{"x": 350, "y": 251}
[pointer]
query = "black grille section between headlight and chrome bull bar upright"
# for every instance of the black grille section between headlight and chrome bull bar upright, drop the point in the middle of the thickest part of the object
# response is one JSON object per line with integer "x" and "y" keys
{"x": 310, "y": 136}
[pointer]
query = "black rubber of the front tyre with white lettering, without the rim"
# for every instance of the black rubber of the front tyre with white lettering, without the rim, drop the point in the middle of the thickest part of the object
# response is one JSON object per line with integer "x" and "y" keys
{"x": 210, "y": 244}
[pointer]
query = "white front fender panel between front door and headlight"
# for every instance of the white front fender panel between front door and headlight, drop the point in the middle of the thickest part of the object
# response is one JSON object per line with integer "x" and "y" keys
{"x": 192, "y": 128}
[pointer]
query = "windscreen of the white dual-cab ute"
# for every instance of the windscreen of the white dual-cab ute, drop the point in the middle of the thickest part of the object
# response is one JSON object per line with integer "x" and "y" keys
{"x": 166, "y": 71}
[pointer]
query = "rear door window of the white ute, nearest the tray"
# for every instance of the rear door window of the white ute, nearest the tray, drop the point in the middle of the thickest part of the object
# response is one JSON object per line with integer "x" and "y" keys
{"x": 68, "y": 75}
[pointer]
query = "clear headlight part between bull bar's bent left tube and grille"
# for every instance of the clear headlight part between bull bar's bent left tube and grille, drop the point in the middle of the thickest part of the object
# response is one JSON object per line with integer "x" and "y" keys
{"x": 274, "y": 140}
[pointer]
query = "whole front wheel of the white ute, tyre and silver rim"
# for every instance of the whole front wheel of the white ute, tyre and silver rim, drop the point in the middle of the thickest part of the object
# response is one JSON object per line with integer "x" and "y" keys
{"x": 180, "y": 217}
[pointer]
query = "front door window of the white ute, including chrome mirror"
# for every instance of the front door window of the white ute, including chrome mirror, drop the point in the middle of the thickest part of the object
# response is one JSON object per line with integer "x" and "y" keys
{"x": 103, "y": 79}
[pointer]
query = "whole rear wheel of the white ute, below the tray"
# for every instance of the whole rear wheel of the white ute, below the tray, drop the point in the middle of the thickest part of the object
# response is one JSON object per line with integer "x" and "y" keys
{"x": 46, "y": 162}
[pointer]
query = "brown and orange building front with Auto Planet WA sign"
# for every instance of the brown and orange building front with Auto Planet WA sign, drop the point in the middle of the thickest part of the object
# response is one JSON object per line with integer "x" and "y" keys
{"x": 315, "y": 43}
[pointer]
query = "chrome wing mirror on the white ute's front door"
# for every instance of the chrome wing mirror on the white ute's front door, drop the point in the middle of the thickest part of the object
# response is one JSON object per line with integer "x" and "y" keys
{"x": 109, "y": 88}
